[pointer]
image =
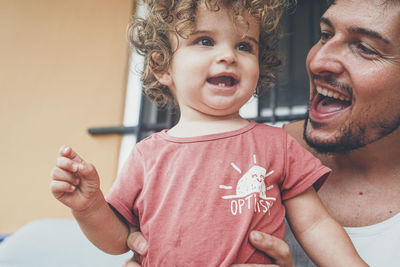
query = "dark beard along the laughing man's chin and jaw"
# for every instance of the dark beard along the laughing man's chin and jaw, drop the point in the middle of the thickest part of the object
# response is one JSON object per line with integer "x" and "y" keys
{"x": 351, "y": 137}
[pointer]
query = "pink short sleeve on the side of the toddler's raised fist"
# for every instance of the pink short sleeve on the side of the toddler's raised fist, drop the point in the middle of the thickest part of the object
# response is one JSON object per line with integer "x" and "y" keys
{"x": 127, "y": 187}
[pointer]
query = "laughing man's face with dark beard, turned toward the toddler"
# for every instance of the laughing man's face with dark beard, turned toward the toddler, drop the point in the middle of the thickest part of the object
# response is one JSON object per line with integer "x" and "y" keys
{"x": 354, "y": 73}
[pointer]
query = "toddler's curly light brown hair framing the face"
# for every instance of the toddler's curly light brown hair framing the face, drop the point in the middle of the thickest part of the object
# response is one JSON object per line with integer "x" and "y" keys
{"x": 150, "y": 37}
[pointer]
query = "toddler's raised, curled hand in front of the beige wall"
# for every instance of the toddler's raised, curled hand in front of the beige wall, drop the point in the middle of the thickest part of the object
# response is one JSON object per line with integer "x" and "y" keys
{"x": 74, "y": 182}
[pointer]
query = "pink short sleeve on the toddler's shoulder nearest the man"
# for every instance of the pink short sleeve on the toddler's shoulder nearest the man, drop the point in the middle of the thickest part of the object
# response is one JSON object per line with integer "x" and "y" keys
{"x": 302, "y": 169}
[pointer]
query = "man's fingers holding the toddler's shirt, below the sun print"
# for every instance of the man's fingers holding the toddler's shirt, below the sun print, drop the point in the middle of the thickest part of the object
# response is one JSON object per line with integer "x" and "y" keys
{"x": 274, "y": 247}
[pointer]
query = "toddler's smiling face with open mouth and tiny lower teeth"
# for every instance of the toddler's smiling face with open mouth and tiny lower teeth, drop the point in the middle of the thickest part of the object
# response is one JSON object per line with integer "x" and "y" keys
{"x": 215, "y": 70}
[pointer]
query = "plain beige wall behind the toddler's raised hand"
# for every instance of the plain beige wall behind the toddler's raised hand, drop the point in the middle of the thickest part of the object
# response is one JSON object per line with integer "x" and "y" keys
{"x": 63, "y": 68}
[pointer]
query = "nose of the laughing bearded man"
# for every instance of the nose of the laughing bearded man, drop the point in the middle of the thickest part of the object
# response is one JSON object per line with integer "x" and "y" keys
{"x": 327, "y": 58}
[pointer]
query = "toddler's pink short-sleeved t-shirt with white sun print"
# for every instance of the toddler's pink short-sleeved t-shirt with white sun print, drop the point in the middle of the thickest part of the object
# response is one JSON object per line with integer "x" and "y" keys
{"x": 197, "y": 199}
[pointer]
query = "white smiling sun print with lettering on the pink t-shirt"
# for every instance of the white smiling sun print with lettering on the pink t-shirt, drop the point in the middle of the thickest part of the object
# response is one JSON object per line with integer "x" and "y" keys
{"x": 251, "y": 191}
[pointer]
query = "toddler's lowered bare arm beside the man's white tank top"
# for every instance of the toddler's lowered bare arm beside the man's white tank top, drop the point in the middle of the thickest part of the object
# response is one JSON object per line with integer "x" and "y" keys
{"x": 324, "y": 239}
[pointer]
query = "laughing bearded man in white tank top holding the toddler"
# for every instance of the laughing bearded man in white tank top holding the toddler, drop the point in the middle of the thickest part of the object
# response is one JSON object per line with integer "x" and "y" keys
{"x": 353, "y": 127}
